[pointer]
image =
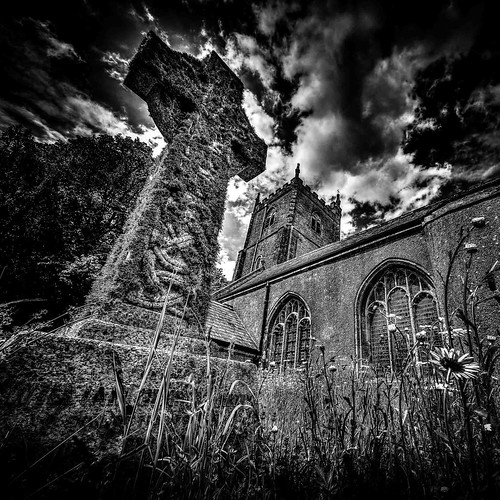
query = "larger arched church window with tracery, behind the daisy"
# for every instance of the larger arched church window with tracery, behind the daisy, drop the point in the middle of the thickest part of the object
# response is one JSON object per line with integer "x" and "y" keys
{"x": 399, "y": 303}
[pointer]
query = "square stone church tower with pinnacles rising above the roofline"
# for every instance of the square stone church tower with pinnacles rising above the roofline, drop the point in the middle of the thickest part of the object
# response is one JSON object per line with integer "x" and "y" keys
{"x": 290, "y": 222}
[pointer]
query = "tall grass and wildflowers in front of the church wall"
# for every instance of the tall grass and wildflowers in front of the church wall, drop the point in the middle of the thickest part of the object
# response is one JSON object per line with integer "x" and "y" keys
{"x": 328, "y": 431}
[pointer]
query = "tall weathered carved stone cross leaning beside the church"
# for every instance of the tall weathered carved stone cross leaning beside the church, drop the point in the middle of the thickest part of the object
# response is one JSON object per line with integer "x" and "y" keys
{"x": 169, "y": 245}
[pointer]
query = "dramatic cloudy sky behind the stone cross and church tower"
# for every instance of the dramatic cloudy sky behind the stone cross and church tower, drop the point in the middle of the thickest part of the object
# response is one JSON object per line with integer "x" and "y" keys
{"x": 328, "y": 84}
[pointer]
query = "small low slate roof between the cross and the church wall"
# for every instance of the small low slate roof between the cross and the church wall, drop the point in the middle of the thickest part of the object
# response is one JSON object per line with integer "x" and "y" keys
{"x": 227, "y": 326}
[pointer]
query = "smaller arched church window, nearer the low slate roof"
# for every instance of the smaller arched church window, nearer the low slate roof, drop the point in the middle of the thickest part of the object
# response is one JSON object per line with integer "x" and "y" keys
{"x": 290, "y": 334}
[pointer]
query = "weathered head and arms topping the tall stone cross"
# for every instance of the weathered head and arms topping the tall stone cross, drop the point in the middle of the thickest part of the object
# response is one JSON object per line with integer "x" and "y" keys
{"x": 175, "y": 84}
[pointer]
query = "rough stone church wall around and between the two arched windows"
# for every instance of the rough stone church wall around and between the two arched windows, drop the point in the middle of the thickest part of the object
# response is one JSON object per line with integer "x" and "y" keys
{"x": 330, "y": 291}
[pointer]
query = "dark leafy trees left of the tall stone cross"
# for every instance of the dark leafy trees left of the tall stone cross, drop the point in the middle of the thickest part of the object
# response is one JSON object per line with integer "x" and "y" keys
{"x": 62, "y": 205}
